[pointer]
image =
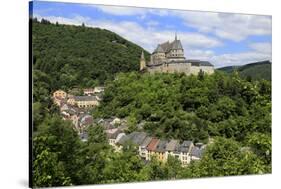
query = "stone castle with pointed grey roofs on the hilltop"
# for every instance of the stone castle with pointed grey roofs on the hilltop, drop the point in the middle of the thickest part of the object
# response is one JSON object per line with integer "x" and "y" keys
{"x": 169, "y": 58}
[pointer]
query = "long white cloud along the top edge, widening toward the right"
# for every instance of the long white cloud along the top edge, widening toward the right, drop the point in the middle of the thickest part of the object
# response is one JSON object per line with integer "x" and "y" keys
{"x": 235, "y": 27}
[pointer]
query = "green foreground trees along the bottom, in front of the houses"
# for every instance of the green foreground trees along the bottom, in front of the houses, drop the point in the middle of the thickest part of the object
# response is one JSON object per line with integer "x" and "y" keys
{"x": 61, "y": 159}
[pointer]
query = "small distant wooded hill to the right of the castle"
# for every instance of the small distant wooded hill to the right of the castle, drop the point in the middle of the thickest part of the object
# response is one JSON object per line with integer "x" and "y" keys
{"x": 256, "y": 70}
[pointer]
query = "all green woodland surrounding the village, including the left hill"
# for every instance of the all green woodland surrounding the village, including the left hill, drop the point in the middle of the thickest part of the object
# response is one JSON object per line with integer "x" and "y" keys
{"x": 235, "y": 112}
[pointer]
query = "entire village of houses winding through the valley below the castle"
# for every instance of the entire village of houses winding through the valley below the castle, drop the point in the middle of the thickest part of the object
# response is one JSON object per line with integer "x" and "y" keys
{"x": 77, "y": 110}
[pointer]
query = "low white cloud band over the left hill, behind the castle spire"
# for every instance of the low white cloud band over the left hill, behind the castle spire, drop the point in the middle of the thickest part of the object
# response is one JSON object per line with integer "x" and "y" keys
{"x": 146, "y": 37}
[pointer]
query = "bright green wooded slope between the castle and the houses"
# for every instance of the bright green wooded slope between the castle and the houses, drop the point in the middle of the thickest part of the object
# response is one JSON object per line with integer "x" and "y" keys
{"x": 190, "y": 107}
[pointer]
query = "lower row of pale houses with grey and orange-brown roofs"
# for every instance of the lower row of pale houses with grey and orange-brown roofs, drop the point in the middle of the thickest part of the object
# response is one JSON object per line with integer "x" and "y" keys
{"x": 148, "y": 146}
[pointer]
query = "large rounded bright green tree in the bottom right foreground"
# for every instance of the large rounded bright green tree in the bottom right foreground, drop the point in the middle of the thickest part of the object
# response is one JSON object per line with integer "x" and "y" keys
{"x": 226, "y": 157}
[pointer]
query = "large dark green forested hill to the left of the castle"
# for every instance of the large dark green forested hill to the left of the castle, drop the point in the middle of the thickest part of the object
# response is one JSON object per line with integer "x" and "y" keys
{"x": 79, "y": 55}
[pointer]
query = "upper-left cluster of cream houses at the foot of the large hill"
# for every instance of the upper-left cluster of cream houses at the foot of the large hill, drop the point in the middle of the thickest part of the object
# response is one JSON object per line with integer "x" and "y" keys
{"x": 76, "y": 108}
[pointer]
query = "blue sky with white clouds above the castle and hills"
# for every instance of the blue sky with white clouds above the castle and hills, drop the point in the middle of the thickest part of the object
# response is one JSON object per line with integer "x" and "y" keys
{"x": 224, "y": 39}
